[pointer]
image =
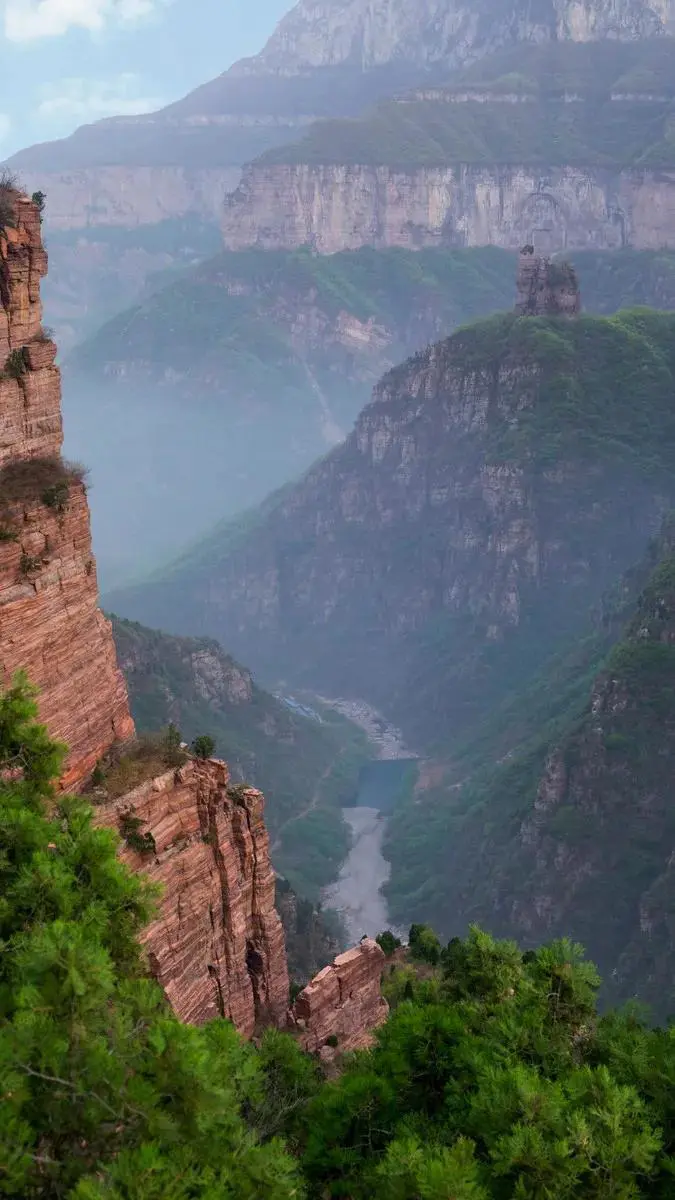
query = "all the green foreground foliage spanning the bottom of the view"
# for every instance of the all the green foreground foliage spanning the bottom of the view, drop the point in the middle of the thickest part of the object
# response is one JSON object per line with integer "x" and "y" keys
{"x": 494, "y": 1078}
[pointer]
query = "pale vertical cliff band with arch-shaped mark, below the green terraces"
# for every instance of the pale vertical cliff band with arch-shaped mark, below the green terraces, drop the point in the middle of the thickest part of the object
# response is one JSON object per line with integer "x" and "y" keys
{"x": 344, "y": 207}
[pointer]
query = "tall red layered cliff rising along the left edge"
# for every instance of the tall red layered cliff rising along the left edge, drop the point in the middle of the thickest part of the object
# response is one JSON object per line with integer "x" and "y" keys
{"x": 50, "y": 620}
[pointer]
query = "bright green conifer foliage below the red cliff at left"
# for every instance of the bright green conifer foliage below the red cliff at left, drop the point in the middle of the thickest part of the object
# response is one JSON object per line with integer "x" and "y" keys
{"x": 104, "y": 1093}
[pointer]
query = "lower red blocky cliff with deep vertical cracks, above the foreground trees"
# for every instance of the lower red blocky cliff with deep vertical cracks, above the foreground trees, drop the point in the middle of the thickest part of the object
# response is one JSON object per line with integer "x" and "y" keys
{"x": 218, "y": 944}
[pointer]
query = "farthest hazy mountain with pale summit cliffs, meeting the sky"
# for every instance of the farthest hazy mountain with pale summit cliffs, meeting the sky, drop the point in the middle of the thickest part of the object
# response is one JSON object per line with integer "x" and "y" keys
{"x": 325, "y": 61}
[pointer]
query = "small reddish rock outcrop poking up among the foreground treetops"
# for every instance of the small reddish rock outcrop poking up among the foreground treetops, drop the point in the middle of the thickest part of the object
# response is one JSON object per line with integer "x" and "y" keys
{"x": 344, "y": 1001}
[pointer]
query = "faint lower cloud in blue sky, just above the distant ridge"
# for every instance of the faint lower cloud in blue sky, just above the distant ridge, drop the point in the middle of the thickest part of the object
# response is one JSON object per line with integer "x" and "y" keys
{"x": 87, "y": 100}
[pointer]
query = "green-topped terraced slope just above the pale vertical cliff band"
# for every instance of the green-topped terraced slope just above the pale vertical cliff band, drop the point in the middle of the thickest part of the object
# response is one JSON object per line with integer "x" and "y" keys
{"x": 593, "y": 130}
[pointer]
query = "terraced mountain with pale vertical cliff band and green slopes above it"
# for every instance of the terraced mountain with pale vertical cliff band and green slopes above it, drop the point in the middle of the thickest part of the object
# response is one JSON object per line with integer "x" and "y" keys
{"x": 566, "y": 143}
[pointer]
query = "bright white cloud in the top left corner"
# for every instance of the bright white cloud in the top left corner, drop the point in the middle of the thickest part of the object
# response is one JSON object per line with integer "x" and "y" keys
{"x": 27, "y": 21}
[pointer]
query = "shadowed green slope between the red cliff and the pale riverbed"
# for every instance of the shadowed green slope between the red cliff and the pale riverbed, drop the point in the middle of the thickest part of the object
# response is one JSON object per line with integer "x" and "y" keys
{"x": 307, "y": 769}
